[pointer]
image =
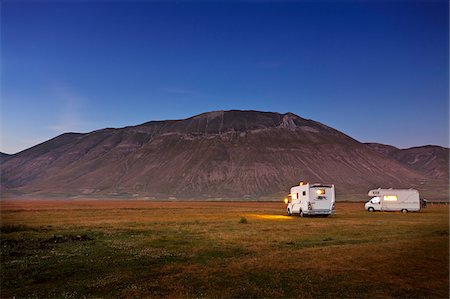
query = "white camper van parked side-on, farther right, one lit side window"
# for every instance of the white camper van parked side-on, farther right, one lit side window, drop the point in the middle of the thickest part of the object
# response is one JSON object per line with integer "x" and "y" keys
{"x": 404, "y": 200}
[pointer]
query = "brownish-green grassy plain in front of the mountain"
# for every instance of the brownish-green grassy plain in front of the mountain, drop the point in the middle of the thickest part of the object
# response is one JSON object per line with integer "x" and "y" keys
{"x": 75, "y": 249}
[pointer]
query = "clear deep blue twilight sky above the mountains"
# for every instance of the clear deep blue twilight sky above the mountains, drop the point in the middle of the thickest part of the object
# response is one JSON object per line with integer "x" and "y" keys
{"x": 376, "y": 70}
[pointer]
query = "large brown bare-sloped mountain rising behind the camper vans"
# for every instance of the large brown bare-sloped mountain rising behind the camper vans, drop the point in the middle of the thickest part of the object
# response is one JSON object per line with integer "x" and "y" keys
{"x": 221, "y": 154}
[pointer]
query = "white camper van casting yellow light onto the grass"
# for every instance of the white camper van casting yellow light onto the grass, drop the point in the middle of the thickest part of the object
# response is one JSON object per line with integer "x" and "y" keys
{"x": 307, "y": 199}
